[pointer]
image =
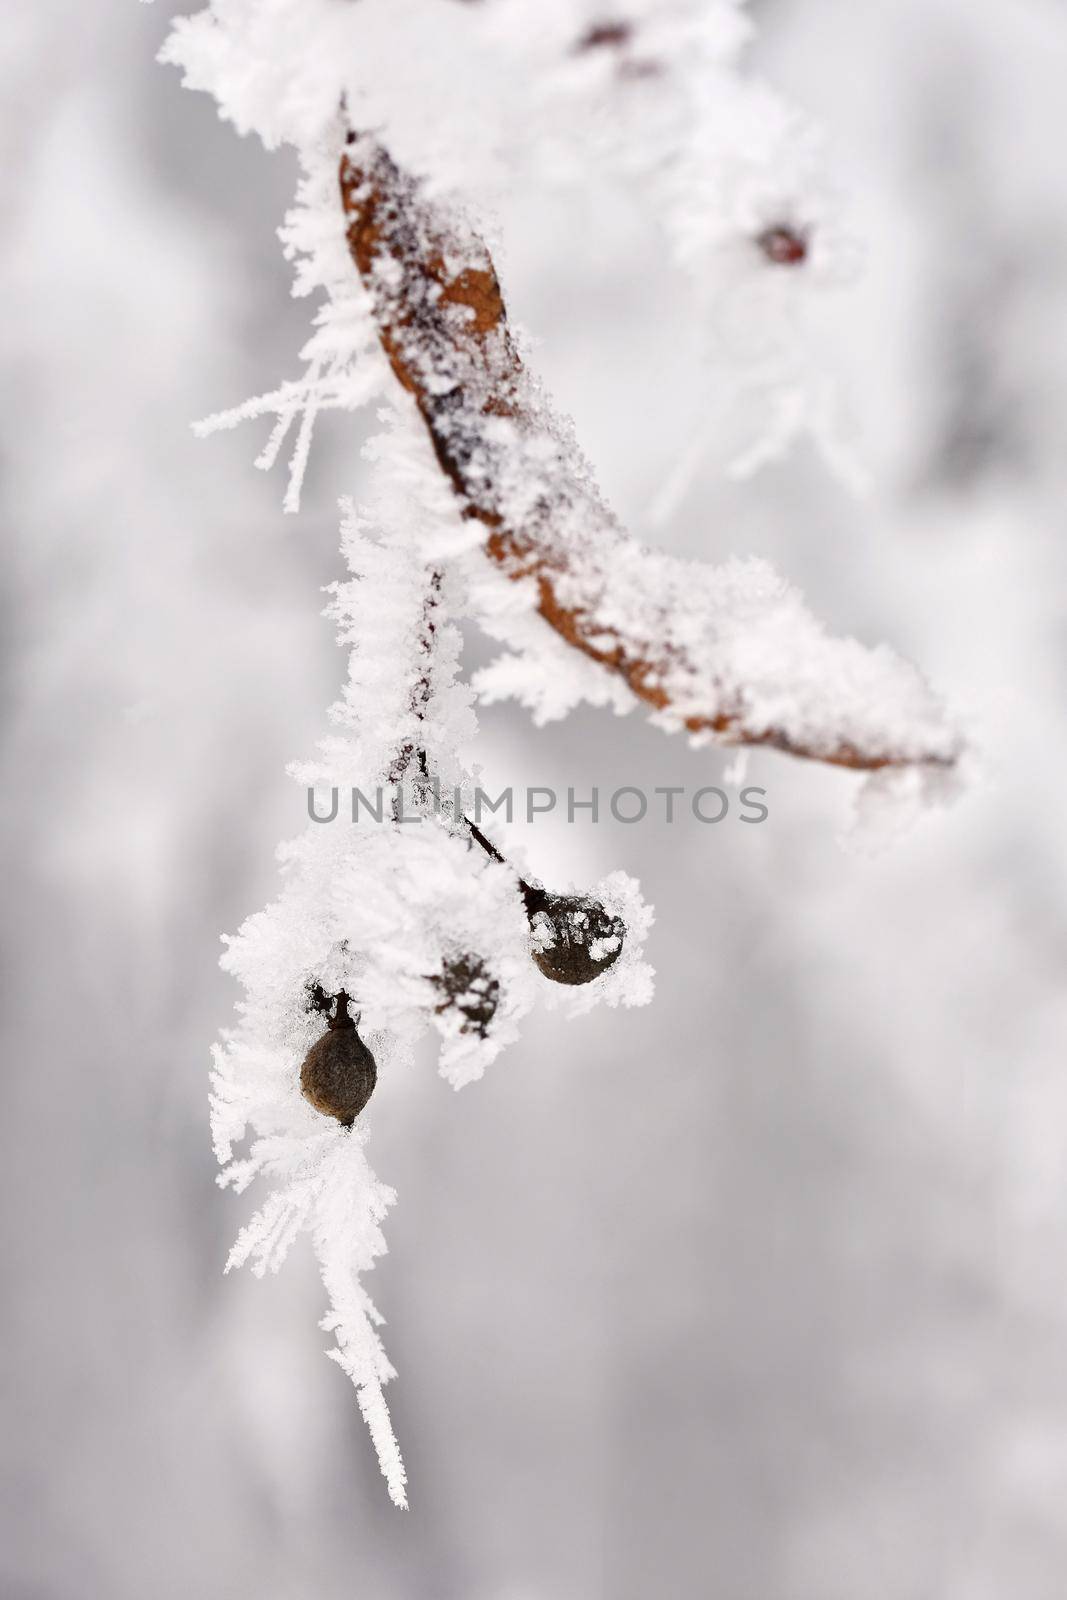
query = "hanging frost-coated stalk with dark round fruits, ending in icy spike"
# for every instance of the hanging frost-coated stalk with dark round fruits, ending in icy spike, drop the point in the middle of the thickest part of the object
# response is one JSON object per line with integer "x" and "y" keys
{"x": 412, "y": 929}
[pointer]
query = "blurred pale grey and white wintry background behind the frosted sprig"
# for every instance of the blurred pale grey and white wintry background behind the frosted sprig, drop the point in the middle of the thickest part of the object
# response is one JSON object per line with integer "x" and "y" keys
{"x": 759, "y": 1294}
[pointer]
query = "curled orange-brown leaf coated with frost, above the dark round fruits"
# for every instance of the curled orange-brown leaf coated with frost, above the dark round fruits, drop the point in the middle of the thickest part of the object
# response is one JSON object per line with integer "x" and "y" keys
{"x": 724, "y": 652}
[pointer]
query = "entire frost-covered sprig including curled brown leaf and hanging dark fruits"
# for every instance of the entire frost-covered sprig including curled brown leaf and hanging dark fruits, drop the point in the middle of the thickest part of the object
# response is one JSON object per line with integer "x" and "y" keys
{"x": 385, "y": 935}
